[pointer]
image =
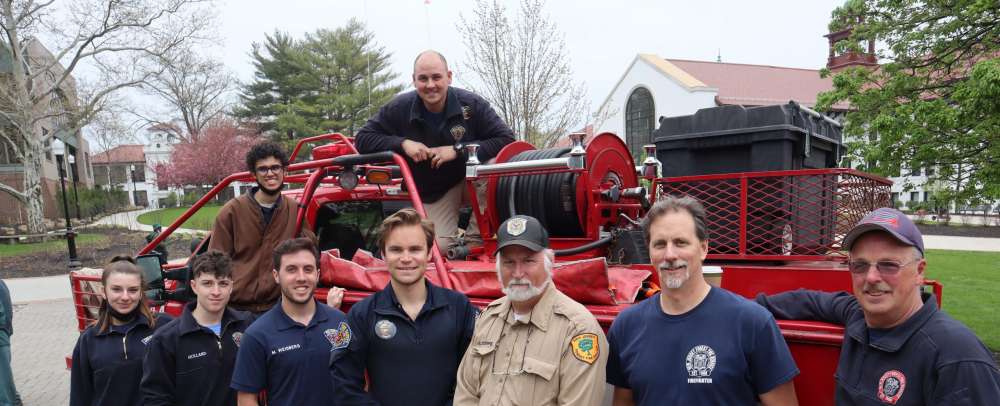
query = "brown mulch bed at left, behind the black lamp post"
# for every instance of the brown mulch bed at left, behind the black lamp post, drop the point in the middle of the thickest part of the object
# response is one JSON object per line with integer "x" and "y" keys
{"x": 95, "y": 255}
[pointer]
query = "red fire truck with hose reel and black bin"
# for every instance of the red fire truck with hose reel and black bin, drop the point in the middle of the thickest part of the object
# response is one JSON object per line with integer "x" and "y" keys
{"x": 770, "y": 230}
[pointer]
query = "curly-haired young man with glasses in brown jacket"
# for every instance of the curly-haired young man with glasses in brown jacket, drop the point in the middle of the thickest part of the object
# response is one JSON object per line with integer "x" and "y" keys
{"x": 249, "y": 227}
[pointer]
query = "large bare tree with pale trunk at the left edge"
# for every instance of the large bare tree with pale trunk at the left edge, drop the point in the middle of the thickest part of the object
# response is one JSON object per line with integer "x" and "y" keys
{"x": 122, "y": 41}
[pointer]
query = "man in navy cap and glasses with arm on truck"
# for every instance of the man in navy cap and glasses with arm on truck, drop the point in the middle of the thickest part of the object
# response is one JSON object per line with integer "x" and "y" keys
{"x": 898, "y": 348}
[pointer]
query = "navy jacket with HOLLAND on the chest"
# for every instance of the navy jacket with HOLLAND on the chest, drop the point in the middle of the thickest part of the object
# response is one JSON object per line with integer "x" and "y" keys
{"x": 187, "y": 364}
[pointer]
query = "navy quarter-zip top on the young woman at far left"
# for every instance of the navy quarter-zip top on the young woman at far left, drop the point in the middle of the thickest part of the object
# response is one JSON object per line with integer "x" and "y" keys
{"x": 107, "y": 366}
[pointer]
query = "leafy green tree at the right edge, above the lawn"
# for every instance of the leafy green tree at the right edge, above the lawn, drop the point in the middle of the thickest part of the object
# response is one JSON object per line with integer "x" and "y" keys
{"x": 934, "y": 100}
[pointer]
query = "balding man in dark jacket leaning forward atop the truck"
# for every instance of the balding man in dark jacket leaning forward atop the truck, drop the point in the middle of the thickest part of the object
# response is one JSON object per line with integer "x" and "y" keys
{"x": 430, "y": 127}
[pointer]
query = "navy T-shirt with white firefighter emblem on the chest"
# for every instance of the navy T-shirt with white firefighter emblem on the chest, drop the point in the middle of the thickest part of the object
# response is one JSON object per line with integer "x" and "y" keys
{"x": 725, "y": 351}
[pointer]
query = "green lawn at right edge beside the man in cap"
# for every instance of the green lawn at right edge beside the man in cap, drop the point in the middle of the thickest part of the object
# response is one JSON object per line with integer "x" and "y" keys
{"x": 971, "y": 289}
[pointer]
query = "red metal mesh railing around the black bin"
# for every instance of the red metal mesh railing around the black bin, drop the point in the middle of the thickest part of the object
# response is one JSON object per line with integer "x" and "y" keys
{"x": 781, "y": 215}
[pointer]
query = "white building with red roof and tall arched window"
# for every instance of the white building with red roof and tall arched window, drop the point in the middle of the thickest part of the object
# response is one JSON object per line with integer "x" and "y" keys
{"x": 653, "y": 87}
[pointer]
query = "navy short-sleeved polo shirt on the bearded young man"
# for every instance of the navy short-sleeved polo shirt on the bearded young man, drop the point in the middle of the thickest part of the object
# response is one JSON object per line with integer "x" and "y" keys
{"x": 290, "y": 360}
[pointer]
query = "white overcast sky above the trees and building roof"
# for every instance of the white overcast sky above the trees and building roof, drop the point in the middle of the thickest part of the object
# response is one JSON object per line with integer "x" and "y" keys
{"x": 602, "y": 37}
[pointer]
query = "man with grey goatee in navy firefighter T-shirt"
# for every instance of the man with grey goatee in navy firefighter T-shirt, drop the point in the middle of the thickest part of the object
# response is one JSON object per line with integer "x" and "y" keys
{"x": 693, "y": 343}
